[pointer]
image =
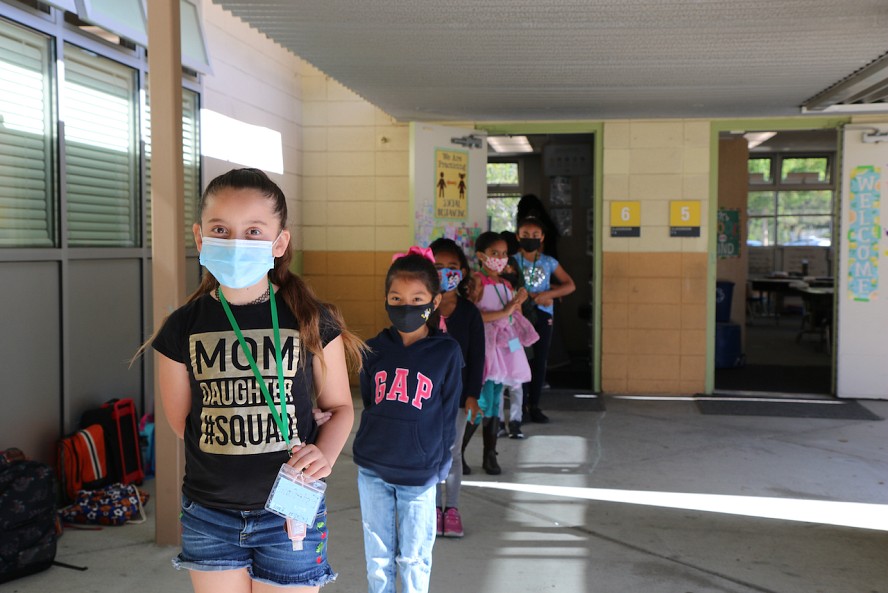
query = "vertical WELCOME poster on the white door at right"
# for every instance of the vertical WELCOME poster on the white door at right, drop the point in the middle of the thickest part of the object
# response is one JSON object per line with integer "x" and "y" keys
{"x": 863, "y": 232}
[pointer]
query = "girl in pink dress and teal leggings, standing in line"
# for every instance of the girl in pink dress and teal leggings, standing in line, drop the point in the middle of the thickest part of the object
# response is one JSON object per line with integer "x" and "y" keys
{"x": 506, "y": 333}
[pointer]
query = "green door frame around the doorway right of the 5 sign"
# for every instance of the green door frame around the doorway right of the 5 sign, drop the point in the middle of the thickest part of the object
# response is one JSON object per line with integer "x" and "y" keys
{"x": 727, "y": 125}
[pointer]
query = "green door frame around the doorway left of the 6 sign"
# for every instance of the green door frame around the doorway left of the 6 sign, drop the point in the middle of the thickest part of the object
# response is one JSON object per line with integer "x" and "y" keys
{"x": 596, "y": 128}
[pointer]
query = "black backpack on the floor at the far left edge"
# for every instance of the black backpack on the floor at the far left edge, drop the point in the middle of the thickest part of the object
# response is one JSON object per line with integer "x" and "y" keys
{"x": 28, "y": 533}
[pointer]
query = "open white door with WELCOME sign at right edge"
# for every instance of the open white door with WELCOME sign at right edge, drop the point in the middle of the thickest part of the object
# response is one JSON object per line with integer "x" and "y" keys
{"x": 862, "y": 291}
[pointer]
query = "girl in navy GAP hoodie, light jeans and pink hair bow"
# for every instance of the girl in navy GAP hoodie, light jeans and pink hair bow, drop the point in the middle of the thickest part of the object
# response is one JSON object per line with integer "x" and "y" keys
{"x": 411, "y": 383}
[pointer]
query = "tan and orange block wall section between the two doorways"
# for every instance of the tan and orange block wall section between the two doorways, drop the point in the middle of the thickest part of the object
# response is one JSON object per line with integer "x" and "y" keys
{"x": 654, "y": 286}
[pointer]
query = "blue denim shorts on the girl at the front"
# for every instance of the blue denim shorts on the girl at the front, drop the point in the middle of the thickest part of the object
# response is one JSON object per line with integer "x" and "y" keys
{"x": 220, "y": 539}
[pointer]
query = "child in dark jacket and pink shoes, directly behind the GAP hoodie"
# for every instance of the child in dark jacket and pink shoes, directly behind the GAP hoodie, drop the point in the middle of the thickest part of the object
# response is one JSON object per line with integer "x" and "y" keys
{"x": 460, "y": 319}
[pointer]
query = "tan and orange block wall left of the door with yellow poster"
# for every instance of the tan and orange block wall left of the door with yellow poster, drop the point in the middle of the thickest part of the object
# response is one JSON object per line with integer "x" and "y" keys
{"x": 355, "y": 198}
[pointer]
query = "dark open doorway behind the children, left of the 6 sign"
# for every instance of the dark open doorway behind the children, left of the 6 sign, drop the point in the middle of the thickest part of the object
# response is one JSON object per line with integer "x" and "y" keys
{"x": 558, "y": 169}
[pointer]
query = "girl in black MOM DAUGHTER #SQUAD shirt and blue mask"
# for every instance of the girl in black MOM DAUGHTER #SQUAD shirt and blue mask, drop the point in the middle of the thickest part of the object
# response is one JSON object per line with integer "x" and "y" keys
{"x": 238, "y": 366}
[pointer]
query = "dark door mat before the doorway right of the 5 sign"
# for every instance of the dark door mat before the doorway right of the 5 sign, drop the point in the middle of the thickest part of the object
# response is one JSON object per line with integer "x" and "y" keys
{"x": 830, "y": 409}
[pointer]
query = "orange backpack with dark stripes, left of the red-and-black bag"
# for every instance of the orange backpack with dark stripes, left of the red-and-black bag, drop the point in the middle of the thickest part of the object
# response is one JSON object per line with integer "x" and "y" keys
{"x": 82, "y": 462}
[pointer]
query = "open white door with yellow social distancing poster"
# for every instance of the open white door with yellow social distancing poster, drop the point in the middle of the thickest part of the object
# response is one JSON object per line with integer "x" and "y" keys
{"x": 448, "y": 184}
